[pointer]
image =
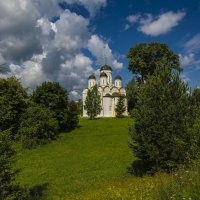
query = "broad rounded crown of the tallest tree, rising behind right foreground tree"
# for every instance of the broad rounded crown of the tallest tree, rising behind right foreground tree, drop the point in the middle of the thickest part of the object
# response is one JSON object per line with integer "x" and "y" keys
{"x": 144, "y": 58}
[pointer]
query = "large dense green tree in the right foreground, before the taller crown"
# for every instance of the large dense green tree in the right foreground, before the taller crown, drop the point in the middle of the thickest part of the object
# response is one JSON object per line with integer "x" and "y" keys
{"x": 160, "y": 135}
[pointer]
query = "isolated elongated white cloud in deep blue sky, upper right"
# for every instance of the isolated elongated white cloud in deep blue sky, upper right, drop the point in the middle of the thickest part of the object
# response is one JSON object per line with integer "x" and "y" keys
{"x": 156, "y": 25}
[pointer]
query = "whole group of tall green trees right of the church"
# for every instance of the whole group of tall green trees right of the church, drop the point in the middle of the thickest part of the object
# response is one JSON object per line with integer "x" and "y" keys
{"x": 166, "y": 112}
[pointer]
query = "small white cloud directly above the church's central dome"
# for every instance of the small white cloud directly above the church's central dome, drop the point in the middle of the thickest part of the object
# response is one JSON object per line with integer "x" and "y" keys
{"x": 102, "y": 51}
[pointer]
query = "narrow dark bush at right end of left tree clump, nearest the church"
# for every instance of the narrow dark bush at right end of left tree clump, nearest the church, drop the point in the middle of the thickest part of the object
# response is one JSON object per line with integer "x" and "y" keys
{"x": 72, "y": 115}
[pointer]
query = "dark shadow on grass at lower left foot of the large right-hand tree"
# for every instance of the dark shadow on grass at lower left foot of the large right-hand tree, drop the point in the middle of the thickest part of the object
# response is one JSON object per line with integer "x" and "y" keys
{"x": 139, "y": 168}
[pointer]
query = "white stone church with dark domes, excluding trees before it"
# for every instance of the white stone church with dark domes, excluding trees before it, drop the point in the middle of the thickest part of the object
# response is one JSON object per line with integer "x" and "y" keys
{"x": 109, "y": 93}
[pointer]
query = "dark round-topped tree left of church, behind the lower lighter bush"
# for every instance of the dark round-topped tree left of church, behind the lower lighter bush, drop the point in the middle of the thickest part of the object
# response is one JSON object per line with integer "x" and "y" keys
{"x": 53, "y": 96}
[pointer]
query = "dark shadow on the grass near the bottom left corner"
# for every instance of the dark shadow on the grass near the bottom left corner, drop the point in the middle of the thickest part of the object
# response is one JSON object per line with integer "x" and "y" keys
{"x": 37, "y": 191}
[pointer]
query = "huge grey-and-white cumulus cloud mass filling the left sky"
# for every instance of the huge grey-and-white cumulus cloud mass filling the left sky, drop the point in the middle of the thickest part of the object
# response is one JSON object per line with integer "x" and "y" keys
{"x": 37, "y": 49}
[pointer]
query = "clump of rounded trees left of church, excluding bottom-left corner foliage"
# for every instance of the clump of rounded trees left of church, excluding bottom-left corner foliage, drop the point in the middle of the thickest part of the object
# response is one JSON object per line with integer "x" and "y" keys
{"x": 37, "y": 118}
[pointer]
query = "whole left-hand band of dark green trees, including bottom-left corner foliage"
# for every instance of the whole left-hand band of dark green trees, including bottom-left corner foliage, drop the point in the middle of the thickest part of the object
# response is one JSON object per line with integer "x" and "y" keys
{"x": 32, "y": 119}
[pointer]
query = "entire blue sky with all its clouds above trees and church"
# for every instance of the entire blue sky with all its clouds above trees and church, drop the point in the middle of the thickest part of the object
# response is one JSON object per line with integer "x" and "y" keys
{"x": 67, "y": 40}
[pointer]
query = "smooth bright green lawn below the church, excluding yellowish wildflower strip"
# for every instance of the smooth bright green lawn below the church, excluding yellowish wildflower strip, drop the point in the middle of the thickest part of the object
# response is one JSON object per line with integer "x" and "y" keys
{"x": 75, "y": 166}
